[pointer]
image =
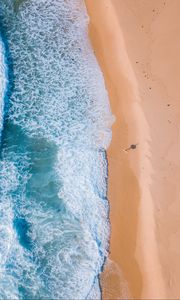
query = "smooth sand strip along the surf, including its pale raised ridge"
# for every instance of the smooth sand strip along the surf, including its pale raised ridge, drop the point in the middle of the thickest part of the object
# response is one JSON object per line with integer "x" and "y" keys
{"x": 130, "y": 272}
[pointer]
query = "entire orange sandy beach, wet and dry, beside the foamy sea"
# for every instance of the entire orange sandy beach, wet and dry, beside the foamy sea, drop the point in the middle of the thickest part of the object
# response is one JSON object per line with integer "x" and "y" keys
{"x": 137, "y": 45}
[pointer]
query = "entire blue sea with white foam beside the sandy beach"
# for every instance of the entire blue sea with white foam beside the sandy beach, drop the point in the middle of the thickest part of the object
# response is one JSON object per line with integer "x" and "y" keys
{"x": 55, "y": 127}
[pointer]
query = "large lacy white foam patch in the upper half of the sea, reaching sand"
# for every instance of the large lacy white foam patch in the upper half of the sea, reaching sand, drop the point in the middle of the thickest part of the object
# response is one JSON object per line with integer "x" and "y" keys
{"x": 72, "y": 101}
